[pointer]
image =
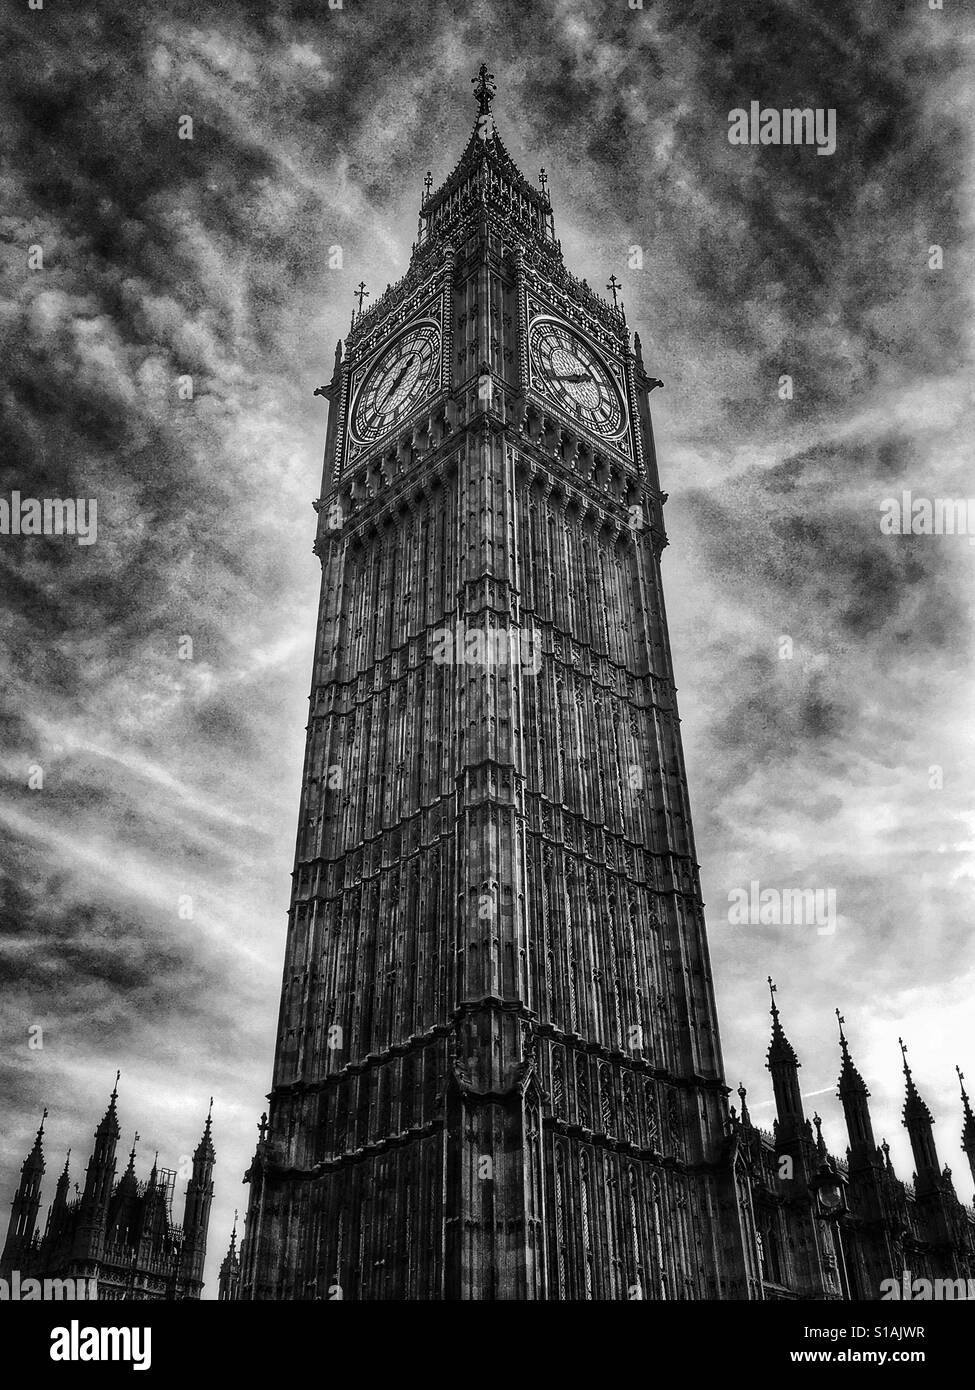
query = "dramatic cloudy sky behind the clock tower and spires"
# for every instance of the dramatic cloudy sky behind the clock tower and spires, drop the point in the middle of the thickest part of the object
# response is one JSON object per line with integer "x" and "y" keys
{"x": 168, "y": 780}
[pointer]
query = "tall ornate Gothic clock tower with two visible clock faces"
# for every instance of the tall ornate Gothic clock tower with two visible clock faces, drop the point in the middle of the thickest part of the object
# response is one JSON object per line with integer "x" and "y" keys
{"x": 497, "y": 1071}
